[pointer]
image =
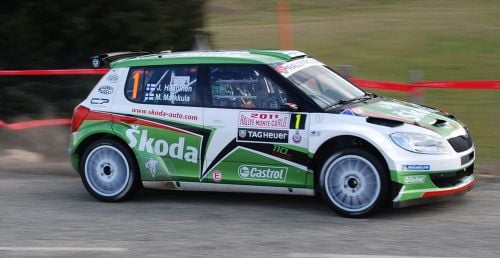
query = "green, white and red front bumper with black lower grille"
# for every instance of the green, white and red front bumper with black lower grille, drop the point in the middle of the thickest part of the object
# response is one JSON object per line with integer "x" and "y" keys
{"x": 429, "y": 187}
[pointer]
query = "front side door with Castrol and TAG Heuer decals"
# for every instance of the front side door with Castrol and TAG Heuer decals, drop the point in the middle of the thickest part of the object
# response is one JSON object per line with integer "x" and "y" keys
{"x": 256, "y": 138}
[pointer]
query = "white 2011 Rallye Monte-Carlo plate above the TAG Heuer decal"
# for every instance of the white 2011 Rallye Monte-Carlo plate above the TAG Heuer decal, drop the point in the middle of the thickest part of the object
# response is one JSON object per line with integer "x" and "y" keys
{"x": 267, "y": 120}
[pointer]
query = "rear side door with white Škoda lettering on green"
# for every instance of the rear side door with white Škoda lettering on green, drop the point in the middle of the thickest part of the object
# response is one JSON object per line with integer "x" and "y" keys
{"x": 160, "y": 117}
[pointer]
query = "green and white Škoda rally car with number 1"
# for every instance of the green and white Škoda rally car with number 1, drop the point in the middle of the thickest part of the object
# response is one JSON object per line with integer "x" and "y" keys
{"x": 262, "y": 121}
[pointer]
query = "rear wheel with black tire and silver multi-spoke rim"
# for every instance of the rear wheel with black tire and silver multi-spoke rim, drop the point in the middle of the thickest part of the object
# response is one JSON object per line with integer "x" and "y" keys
{"x": 109, "y": 171}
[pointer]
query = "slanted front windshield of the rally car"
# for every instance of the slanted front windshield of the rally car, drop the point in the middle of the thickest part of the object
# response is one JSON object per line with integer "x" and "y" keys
{"x": 325, "y": 87}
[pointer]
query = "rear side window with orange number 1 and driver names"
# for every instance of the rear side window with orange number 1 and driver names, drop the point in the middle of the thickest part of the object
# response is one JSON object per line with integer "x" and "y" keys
{"x": 165, "y": 85}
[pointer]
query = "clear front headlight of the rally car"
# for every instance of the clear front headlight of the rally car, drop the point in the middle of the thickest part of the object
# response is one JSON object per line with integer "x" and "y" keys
{"x": 420, "y": 143}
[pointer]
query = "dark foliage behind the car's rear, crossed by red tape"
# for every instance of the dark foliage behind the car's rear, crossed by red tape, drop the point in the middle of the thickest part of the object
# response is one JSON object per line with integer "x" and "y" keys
{"x": 64, "y": 34}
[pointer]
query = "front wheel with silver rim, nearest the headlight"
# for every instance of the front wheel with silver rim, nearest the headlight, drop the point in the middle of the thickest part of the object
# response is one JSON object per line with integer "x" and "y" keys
{"x": 354, "y": 183}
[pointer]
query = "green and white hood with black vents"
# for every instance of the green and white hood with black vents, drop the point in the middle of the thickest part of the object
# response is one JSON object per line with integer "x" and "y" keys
{"x": 432, "y": 119}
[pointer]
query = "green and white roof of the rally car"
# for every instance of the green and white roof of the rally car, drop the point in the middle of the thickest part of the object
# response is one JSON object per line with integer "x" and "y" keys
{"x": 211, "y": 57}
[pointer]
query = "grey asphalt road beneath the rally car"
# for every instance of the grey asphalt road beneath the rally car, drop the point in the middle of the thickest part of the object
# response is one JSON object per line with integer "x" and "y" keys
{"x": 51, "y": 215}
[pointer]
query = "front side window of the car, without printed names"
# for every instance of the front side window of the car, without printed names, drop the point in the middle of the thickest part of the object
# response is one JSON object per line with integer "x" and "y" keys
{"x": 244, "y": 87}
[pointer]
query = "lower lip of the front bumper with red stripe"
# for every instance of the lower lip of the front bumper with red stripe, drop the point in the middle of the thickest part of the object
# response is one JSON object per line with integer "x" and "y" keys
{"x": 434, "y": 195}
